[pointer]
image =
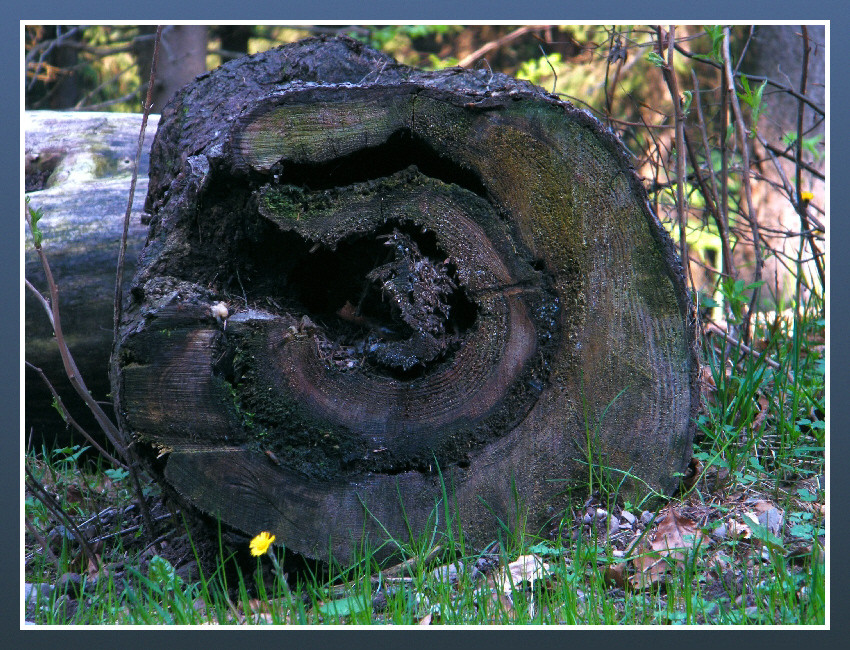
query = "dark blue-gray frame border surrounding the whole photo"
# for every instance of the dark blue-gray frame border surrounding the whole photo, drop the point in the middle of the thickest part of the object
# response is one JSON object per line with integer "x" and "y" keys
{"x": 212, "y": 11}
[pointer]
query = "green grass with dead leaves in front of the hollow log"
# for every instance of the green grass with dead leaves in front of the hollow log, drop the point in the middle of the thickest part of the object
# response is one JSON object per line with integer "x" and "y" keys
{"x": 742, "y": 542}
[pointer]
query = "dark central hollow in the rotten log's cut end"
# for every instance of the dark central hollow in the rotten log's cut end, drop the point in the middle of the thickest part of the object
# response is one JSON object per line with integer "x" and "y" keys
{"x": 283, "y": 271}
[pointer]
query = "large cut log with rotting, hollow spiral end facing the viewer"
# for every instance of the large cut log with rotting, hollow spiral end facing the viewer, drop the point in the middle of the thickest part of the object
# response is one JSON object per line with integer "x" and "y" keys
{"x": 445, "y": 293}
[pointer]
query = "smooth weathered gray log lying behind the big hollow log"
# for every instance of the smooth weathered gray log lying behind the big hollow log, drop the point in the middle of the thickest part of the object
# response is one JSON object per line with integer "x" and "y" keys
{"x": 78, "y": 169}
